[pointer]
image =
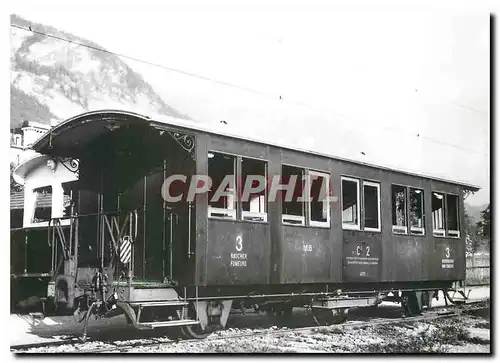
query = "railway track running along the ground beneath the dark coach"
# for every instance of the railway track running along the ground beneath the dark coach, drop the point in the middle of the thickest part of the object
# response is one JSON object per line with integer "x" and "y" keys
{"x": 98, "y": 347}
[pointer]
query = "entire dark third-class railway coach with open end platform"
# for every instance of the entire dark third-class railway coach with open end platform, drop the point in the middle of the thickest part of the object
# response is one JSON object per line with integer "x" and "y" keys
{"x": 142, "y": 242}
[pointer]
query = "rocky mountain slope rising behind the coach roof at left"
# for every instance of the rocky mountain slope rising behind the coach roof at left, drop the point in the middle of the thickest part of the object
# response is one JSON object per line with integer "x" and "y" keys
{"x": 52, "y": 80}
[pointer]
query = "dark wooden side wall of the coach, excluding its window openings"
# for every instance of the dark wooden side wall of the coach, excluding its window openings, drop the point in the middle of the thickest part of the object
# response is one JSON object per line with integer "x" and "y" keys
{"x": 278, "y": 253}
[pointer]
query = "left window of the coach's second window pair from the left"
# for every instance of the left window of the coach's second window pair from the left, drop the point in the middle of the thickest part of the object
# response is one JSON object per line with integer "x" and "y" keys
{"x": 292, "y": 201}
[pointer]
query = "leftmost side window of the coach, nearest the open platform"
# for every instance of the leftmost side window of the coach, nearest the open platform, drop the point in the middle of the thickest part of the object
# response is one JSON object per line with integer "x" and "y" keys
{"x": 222, "y": 194}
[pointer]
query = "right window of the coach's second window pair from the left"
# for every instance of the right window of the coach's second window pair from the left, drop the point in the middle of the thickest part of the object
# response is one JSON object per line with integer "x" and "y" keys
{"x": 319, "y": 204}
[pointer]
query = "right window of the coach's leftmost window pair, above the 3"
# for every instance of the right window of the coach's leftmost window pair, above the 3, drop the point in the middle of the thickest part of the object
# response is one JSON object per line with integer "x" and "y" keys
{"x": 253, "y": 197}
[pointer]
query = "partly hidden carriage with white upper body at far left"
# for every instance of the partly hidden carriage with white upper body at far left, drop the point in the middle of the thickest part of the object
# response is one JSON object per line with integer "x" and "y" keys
{"x": 45, "y": 195}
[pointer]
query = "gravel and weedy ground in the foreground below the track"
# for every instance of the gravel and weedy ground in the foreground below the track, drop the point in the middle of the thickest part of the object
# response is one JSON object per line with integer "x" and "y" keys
{"x": 450, "y": 335}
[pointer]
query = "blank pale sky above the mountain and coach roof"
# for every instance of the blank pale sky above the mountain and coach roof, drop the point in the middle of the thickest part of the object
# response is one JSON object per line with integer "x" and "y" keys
{"x": 414, "y": 87}
